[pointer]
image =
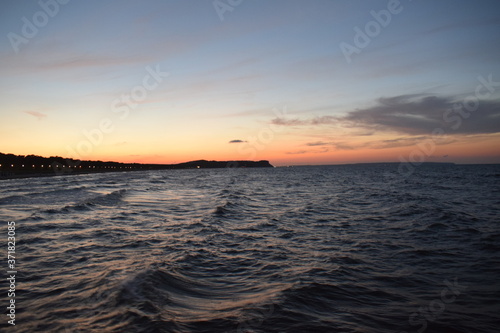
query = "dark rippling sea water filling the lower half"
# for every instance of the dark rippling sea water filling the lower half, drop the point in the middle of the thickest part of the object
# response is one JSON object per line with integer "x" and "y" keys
{"x": 306, "y": 249}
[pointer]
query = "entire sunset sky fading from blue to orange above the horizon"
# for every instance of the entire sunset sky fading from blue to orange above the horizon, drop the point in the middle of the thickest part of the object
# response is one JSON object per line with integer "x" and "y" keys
{"x": 293, "y": 82}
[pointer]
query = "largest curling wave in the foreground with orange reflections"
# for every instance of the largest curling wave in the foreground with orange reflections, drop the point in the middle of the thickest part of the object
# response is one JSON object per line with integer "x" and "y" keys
{"x": 187, "y": 303}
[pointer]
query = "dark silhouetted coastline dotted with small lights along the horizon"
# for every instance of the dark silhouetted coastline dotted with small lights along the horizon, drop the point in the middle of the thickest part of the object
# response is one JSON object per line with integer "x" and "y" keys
{"x": 20, "y": 166}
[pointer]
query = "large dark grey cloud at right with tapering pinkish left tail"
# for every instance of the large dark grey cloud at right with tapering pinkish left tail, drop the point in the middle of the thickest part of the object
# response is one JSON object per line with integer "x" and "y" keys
{"x": 417, "y": 114}
